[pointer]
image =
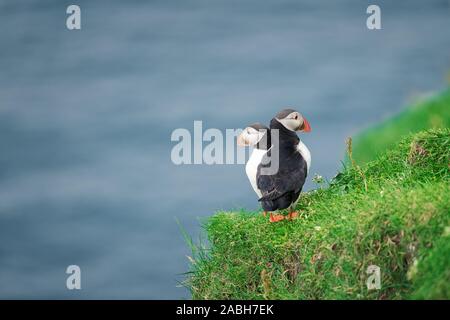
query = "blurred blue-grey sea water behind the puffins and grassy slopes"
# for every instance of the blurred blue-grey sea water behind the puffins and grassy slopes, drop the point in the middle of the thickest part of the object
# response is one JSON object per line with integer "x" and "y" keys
{"x": 86, "y": 118}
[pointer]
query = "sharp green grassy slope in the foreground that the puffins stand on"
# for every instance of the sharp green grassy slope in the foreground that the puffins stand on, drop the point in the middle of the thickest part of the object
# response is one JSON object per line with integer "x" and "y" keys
{"x": 401, "y": 223}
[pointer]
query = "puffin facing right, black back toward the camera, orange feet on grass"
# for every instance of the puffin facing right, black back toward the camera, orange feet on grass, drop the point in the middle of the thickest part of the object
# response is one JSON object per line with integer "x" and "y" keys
{"x": 281, "y": 189}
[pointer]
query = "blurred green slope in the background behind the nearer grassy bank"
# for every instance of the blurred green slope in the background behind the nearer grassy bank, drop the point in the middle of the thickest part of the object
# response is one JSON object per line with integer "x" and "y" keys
{"x": 433, "y": 113}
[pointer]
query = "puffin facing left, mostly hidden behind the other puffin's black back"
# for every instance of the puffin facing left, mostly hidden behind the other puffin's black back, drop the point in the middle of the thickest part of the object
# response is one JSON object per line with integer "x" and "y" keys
{"x": 255, "y": 135}
